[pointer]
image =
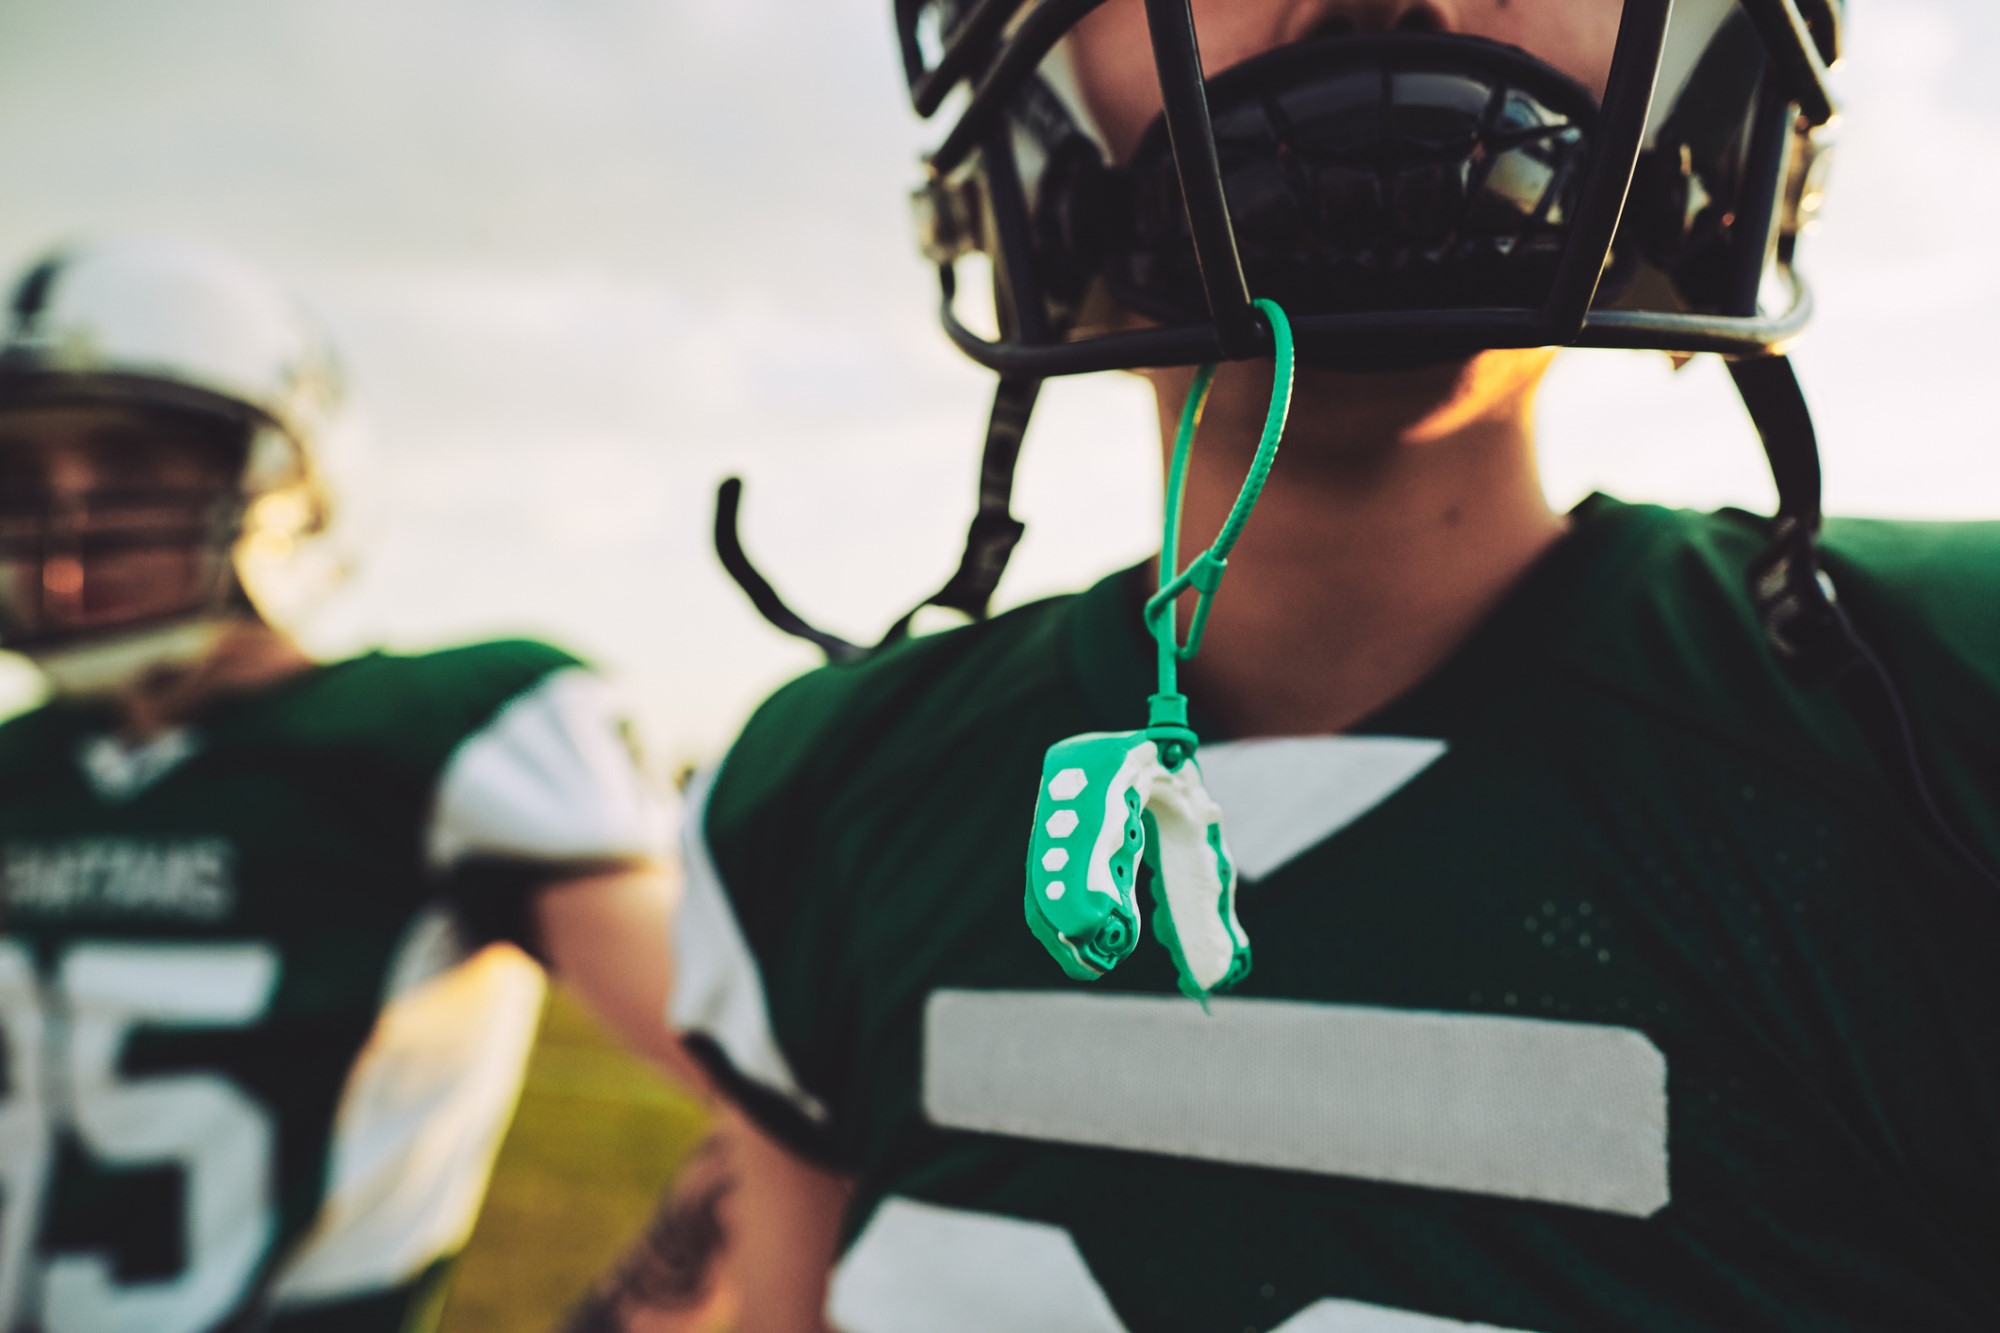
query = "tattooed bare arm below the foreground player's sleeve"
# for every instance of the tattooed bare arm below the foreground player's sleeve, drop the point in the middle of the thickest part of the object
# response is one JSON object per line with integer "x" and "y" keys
{"x": 743, "y": 1242}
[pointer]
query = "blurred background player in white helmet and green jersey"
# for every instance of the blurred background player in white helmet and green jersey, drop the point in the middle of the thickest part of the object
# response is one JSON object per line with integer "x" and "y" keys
{"x": 261, "y": 1034}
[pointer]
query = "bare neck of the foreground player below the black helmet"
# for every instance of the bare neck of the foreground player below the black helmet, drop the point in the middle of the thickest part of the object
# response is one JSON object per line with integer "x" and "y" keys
{"x": 1369, "y": 561}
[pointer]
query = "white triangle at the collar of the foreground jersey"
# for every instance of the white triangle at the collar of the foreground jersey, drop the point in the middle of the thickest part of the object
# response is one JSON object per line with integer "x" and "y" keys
{"x": 1287, "y": 796}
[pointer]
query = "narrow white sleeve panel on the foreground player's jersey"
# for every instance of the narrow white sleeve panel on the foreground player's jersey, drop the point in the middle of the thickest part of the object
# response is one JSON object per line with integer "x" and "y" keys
{"x": 719, "y": 990}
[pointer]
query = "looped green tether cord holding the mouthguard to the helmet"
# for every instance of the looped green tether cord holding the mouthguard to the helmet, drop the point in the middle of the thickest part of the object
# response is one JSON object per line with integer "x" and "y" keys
{"x": 1169, "y": 716}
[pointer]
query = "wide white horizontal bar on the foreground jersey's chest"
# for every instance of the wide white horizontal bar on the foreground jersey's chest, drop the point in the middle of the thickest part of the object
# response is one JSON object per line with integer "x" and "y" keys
{"x": 1515, "y": 1108}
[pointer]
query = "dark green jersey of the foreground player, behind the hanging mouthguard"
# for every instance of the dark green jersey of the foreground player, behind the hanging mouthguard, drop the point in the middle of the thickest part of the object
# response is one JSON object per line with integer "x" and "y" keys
{"x": 1601, "y": 982}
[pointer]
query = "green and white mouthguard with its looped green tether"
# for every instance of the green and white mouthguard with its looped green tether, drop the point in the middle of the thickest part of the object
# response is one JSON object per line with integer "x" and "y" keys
{"x": 1107, "y": 796}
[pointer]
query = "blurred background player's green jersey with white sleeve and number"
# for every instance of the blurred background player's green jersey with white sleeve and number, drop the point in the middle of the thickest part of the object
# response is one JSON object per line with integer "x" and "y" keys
{"x": 257, "y": 1054}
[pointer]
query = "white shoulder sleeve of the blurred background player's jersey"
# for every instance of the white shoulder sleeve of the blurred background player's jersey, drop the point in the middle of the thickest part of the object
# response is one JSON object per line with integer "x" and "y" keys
{"x": 551, "y": 778}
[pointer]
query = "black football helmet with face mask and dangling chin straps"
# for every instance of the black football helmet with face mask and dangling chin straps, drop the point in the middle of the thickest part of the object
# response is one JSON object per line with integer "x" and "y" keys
{"x": 1407, "y": 197}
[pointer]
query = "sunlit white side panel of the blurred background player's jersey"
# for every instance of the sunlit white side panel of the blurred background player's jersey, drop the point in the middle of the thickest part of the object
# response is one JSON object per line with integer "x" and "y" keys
{"x": 421, "y": 1120}
